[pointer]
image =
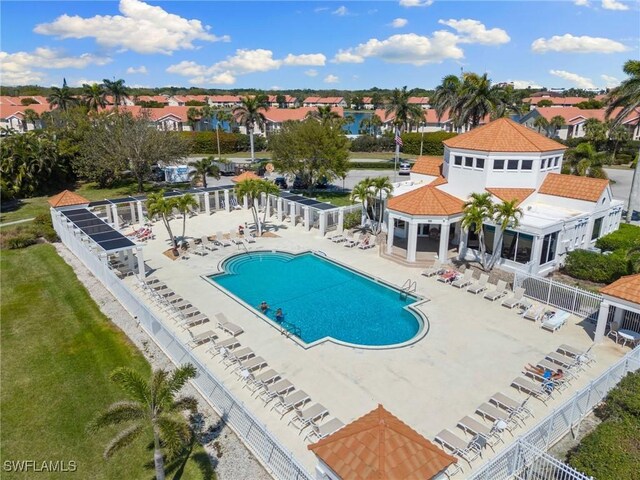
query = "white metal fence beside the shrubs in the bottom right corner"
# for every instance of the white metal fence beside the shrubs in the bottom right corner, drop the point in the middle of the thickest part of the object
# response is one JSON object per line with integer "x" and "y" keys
{"x": 516, "y": 461}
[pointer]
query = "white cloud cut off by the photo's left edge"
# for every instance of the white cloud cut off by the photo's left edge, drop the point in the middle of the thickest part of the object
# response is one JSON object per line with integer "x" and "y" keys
{"x": 22, "y": 67}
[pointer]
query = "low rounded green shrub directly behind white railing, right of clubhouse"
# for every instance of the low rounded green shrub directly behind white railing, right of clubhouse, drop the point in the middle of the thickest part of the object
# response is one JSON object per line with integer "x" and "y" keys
{"x": 596, "y": 267}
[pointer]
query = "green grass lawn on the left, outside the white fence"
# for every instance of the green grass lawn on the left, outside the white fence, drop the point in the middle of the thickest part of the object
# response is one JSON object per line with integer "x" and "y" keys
{"x": 58, "y": 350}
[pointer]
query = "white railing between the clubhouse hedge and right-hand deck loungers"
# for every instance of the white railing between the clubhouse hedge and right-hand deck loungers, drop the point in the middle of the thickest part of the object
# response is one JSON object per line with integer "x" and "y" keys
{"x": 571, "y": 299}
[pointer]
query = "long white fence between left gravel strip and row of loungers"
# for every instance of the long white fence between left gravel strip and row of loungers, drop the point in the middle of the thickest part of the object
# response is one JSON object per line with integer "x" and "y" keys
{"x": 279, "y": 461}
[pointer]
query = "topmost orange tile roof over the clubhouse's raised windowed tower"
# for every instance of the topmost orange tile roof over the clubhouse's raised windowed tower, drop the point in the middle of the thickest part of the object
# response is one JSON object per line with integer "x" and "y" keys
{"x": 503, "y": 135}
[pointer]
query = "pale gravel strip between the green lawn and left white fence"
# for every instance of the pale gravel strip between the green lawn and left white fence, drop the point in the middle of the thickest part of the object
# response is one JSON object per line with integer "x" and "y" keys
{"x": 229, "y": 456}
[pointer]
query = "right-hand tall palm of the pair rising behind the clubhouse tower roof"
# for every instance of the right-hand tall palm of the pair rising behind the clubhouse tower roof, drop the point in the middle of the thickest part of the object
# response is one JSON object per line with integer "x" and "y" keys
{"x": 477, "y": 99}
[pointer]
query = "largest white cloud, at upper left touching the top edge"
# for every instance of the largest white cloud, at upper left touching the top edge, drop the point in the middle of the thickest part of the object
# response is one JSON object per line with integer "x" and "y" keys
{"x": 141, "y": 28}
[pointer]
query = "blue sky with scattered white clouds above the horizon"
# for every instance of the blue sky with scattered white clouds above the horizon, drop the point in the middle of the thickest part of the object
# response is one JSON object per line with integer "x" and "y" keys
{"x": 330, "y": 44}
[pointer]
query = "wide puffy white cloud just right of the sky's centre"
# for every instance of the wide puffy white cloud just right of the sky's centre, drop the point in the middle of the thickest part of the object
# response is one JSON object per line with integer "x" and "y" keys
{"x": 406, "y": 48}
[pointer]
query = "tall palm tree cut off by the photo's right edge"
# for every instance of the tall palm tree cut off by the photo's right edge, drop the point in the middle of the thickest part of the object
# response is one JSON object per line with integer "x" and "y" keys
{"x": 626, "y": 97}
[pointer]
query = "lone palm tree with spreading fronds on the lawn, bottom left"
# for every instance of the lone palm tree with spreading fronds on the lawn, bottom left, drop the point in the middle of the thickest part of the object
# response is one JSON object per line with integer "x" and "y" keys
{"x": 152, "y": 406}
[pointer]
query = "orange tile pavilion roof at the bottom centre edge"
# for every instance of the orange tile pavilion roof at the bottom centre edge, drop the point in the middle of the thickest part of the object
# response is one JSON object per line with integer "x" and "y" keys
{"x": 378, "y": 445}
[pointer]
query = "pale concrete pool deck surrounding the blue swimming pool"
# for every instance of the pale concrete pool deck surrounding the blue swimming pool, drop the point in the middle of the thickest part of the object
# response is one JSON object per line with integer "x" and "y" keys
{"x": 473, "y": 349}
